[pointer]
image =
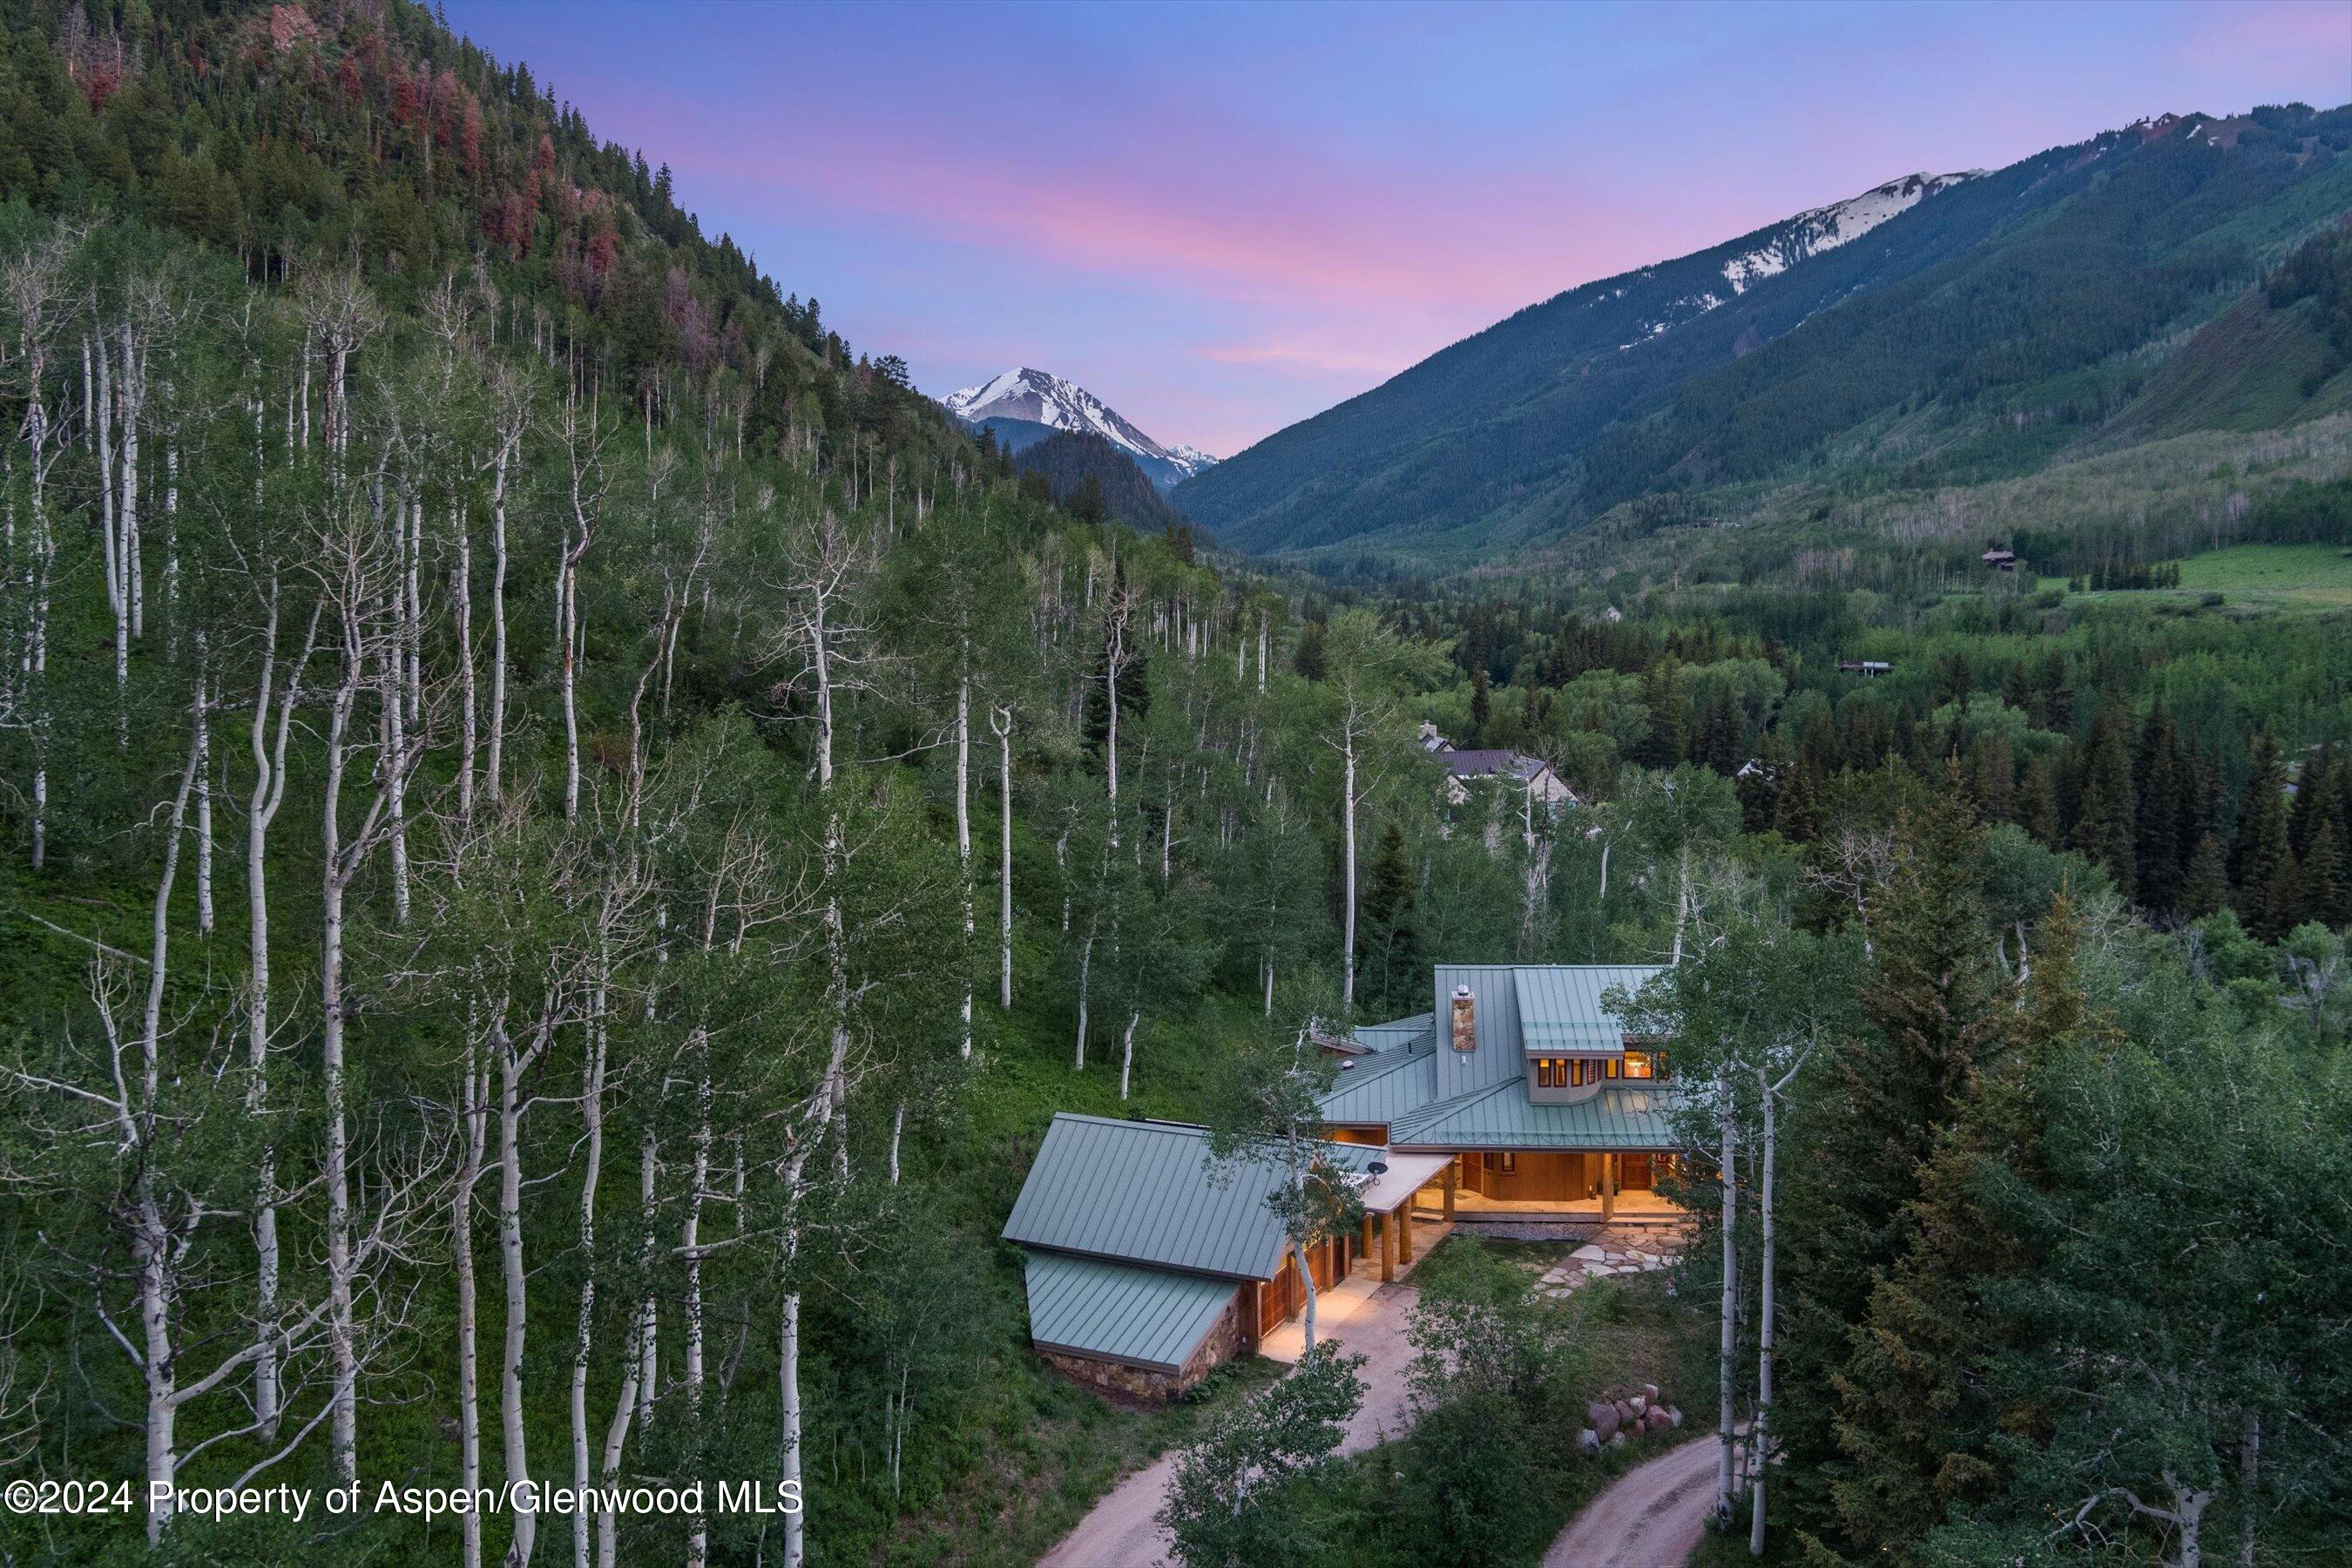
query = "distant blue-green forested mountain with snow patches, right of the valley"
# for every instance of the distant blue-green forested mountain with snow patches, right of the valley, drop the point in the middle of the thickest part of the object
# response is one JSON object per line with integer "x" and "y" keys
{"x": 2036, "y": 297}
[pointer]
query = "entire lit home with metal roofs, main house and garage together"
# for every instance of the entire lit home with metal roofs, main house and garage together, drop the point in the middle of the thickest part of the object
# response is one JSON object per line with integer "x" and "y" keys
{"x": 1516, "y": 1099}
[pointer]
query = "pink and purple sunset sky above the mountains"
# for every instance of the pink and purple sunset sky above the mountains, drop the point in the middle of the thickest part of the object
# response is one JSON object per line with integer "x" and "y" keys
{"x": 1229, "y": 217}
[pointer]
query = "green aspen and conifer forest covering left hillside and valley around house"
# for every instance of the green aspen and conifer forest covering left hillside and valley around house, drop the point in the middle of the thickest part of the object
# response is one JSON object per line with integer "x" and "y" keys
{"x": 566, "y": 833}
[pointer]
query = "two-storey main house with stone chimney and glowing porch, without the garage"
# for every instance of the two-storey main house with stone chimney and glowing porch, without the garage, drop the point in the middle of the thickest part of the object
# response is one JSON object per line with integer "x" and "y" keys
{"x": 1530, "y": 1087}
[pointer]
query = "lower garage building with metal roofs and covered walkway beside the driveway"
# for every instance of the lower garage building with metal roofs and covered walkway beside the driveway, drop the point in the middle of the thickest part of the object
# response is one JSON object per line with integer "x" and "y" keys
{"x": 1149, "y": 1261}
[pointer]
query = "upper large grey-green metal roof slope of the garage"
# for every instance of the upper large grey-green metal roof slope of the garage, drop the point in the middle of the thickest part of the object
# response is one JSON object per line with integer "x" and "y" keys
{"x": 1151, "y": 1193}
